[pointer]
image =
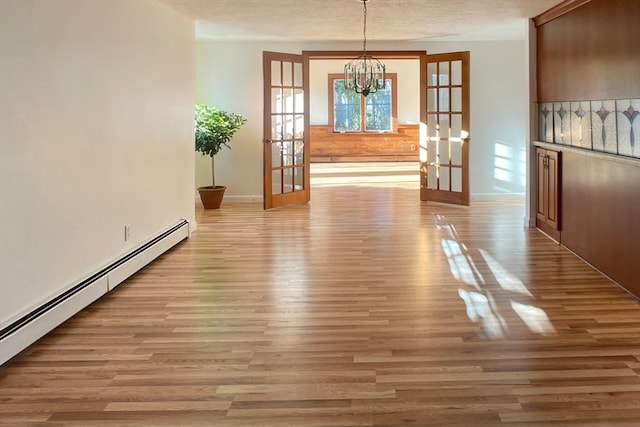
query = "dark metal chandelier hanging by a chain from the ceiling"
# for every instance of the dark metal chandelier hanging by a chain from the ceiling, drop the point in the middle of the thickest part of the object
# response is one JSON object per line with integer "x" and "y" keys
{"x": 365, "y": 74}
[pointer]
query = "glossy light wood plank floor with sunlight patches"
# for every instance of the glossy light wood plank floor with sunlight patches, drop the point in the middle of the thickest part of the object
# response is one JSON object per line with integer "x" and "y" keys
{"x": 363, "y": 308}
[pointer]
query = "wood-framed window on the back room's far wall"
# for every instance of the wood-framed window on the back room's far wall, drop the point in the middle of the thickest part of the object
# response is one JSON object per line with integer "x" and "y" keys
{"x": 352, "y": 112}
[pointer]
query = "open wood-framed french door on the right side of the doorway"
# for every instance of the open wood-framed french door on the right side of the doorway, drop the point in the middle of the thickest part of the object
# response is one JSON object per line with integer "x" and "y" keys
{"x": 444, "y": 136}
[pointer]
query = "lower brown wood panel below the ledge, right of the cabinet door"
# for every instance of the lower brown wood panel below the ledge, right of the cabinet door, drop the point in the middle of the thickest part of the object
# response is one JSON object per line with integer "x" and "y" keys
{"x": 601, "y": 211}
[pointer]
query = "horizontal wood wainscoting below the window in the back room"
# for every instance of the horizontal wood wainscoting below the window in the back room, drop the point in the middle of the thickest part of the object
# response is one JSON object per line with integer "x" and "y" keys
{"x": 329, "y": 146}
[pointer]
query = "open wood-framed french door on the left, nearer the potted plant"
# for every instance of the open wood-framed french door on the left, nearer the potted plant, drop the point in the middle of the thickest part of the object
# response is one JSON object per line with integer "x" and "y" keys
{"x": 286, "y": 155}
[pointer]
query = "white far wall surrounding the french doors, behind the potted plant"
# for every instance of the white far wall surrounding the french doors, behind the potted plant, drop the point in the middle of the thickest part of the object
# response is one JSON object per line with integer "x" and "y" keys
{"x": 229, "y": 75}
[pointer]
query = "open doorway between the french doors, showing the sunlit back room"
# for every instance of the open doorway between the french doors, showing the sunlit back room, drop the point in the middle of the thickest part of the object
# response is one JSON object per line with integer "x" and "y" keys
{"x": 362, "y": 156}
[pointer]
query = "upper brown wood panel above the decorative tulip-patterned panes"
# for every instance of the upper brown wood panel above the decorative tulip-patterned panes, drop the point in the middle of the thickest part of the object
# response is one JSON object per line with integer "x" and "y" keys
{"x": 590, "y": 53}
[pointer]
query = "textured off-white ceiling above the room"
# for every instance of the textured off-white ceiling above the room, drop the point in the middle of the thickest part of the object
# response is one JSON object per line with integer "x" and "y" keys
{"x": 341, "y": 20}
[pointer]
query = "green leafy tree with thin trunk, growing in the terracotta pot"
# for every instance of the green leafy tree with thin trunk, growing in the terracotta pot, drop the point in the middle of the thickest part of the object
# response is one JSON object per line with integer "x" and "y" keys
{"x": 214, "y": 130}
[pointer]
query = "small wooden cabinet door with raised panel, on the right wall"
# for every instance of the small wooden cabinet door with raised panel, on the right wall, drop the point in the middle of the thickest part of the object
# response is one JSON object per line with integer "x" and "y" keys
{"x": 548, "y": 176}
